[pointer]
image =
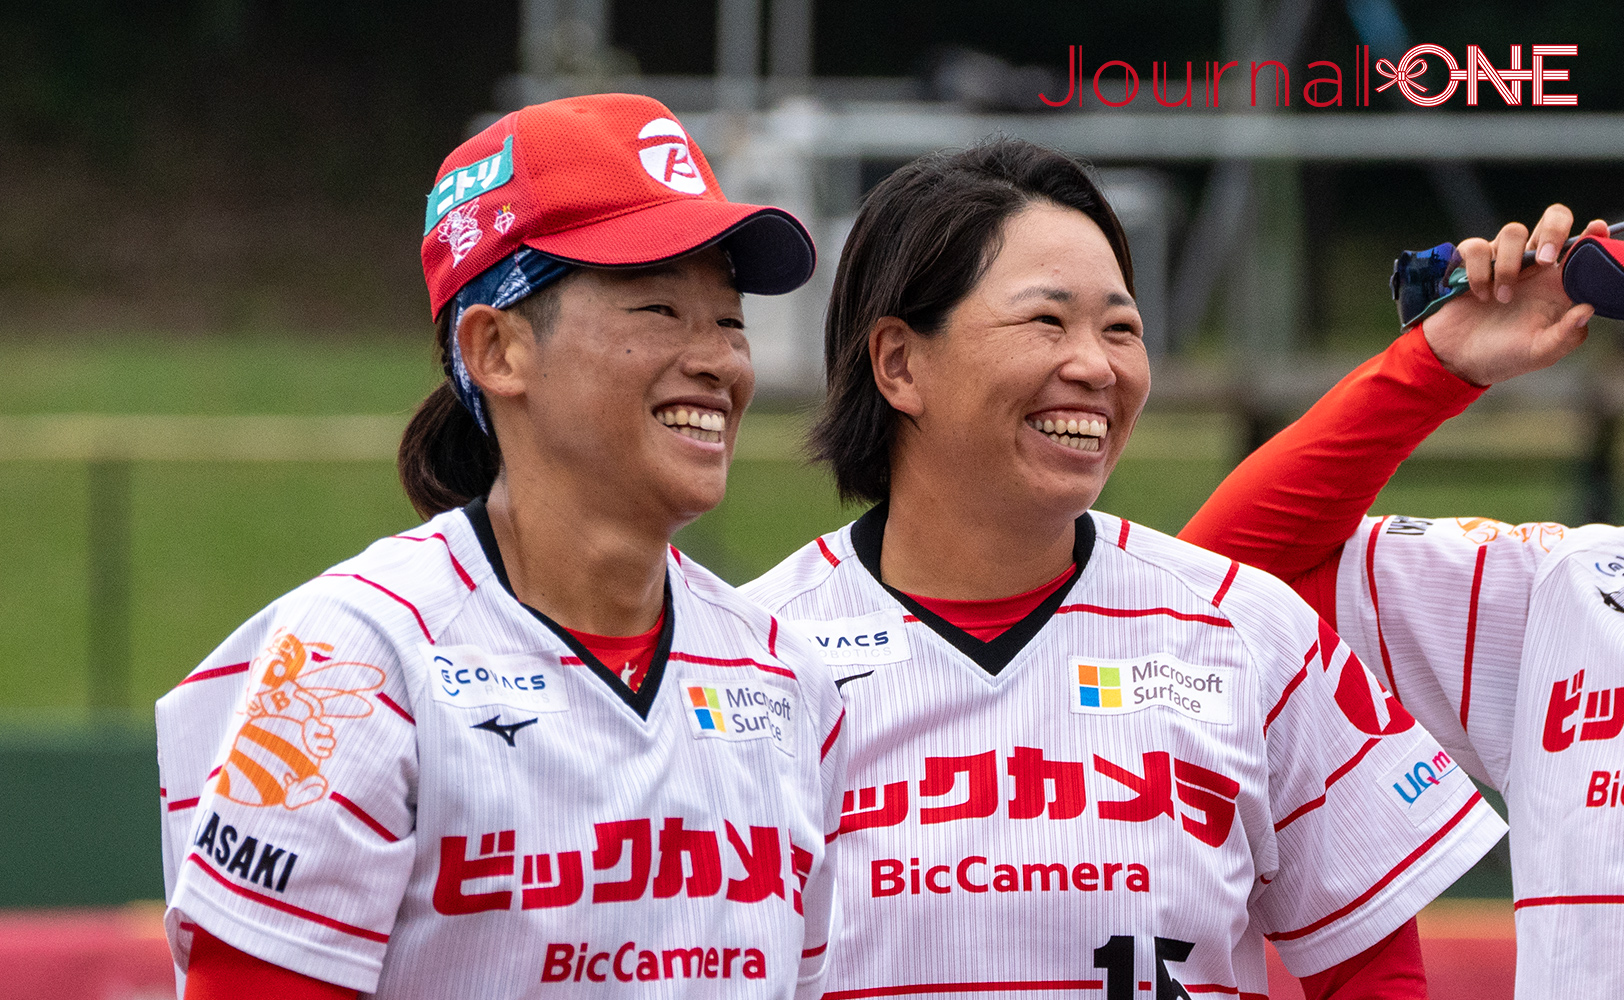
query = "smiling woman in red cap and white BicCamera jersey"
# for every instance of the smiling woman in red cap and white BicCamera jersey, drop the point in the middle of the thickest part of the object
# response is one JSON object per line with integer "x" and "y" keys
{"x": 529, "y": 748}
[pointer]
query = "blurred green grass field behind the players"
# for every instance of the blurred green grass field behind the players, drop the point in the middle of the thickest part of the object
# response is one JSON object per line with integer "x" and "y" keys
{"x": 217, "y": 541}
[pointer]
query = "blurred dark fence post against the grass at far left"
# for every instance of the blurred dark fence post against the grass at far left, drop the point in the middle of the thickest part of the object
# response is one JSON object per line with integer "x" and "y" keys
{"x": 110, "y": 584}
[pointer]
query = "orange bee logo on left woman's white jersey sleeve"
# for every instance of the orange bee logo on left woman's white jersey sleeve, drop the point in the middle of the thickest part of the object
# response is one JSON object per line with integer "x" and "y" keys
{"x": 296, "y": 687}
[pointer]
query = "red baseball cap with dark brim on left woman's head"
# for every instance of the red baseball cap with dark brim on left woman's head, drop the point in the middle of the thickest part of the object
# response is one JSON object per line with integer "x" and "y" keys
{"x": 603, "y": 181}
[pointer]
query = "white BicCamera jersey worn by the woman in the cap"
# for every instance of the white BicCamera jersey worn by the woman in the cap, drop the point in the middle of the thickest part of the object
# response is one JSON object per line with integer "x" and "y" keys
{"x": 400, "y": 780}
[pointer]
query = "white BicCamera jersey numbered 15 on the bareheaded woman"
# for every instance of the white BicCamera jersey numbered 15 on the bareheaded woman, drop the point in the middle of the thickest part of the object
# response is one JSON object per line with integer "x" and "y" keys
{"x": 1177, "y": 762}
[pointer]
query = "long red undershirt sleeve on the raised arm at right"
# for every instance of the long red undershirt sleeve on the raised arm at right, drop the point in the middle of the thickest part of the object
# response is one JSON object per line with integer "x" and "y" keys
{"x": 1294, "y": 502}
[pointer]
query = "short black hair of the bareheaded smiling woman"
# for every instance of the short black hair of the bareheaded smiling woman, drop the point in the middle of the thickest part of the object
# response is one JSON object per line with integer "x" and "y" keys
{"x": 920, "y": 244}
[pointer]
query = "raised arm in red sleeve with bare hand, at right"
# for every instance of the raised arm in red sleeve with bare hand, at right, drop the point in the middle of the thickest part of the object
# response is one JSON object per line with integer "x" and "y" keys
{"x": 1294, "y": 502}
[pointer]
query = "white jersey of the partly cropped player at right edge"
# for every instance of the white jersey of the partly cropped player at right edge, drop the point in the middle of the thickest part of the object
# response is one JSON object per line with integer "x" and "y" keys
{"x": 1508, "y": 642}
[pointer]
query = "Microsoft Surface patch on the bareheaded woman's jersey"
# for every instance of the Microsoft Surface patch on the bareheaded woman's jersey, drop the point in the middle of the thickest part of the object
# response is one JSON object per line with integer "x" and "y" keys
{"x": 1113, "y": 687}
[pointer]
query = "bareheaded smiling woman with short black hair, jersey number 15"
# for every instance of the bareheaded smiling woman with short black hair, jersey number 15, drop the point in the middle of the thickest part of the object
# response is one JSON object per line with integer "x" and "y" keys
{"x": 1086, "y": 756}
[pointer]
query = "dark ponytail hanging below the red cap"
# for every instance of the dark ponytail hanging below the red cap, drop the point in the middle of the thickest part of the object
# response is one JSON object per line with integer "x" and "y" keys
{"x": 446, "y": 462}
